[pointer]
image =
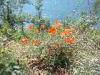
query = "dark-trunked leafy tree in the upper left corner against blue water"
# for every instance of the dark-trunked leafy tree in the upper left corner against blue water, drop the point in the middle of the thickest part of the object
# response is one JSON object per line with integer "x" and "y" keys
{"x": 8, "y": 7}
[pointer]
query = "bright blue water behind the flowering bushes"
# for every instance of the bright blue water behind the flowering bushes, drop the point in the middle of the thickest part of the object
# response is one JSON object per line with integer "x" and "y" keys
{"x": 60, "y": 8}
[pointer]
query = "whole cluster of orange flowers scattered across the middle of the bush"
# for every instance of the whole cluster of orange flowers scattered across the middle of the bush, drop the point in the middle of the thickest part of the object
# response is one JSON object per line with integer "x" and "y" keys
{"x": 65, "y": 33}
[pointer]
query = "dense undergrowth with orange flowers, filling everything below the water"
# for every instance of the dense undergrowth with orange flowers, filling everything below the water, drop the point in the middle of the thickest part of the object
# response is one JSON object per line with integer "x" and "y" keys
{"x": 62, "y": 48}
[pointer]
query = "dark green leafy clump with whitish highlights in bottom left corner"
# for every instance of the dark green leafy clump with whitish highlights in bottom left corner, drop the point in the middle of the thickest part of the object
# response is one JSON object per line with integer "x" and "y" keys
{"x": 9, "y": 69}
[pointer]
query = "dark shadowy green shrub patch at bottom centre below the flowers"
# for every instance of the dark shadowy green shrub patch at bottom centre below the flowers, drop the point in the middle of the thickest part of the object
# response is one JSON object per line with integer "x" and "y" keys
{"x": 59, "y": 59}
